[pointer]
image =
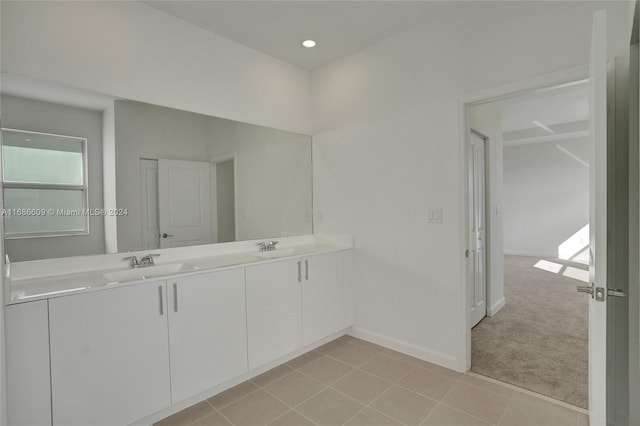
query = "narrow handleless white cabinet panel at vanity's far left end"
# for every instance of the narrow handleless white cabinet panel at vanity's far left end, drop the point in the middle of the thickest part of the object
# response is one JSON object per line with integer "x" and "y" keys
{"x": 28, "y": 374}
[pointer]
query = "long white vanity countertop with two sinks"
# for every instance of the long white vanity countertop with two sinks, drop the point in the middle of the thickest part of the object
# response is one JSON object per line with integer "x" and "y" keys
{"x": 56, "y": 285}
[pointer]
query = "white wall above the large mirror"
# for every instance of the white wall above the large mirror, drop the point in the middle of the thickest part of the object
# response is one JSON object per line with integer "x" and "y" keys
{"x": 130, "y": 50}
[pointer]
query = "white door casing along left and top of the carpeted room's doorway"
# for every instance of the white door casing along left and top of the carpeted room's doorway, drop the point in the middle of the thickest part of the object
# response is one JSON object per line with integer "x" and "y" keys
{"x": 541, "y": 82}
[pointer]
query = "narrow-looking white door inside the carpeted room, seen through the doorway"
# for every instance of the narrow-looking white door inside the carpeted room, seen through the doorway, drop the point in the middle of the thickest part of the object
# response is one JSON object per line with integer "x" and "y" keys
{"x": 477, "y": 229}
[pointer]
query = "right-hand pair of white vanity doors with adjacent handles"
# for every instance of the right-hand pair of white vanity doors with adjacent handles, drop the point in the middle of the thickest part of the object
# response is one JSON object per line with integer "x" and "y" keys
{"x": 292, "y": 303}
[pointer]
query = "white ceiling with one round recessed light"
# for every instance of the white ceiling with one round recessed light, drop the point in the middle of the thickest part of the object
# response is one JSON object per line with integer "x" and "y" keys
{"x": 277, "y": 28}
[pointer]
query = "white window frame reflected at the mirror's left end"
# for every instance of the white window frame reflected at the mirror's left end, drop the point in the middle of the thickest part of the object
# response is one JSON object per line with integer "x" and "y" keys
{"x": 29, "y": 185}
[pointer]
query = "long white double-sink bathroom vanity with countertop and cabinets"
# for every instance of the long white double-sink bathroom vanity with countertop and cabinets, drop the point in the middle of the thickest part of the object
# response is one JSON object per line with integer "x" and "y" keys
{"x": 84, "y": 348}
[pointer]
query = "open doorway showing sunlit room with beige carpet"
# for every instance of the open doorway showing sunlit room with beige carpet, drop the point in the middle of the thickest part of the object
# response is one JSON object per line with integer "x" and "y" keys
{"x": 537, "y": 336}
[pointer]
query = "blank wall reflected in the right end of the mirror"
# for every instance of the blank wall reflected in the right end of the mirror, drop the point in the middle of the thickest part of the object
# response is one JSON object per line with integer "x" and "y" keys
{"x": 273, "y": 178}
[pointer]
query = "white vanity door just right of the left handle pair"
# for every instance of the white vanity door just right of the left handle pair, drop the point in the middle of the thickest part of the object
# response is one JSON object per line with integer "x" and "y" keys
{"x": 207, "y": 330}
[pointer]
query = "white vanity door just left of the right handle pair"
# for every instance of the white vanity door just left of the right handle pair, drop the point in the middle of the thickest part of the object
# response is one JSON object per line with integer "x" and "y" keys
{"x": 274, "y": 317}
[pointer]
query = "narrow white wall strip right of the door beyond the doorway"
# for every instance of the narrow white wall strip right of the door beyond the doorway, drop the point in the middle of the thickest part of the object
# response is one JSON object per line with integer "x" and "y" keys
{"x": 487, "y": 119}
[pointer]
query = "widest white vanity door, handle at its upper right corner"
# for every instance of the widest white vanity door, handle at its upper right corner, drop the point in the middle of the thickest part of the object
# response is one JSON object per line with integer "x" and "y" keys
{"x": 109, "y": 355}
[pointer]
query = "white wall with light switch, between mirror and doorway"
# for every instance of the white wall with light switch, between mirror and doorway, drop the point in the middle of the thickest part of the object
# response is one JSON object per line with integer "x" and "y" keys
{"x": 386, "y": 148}
